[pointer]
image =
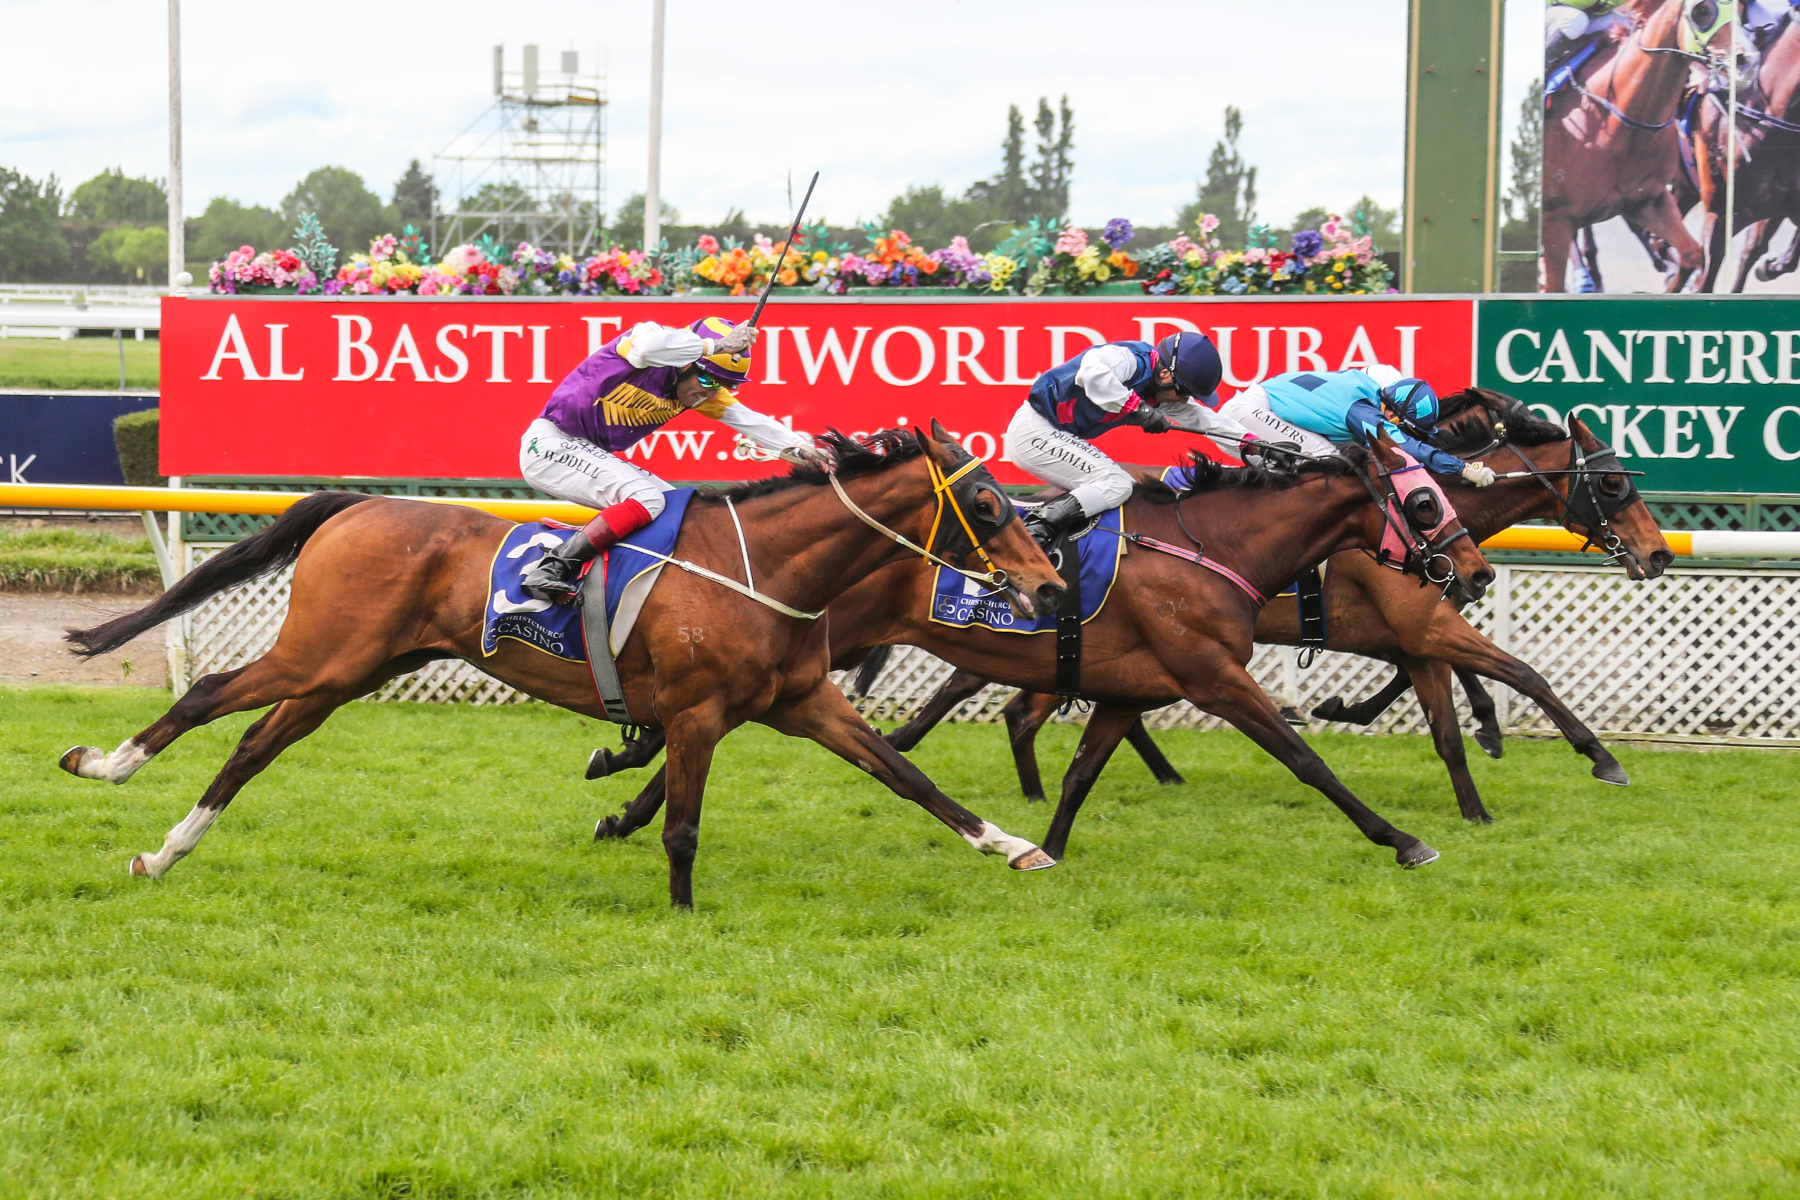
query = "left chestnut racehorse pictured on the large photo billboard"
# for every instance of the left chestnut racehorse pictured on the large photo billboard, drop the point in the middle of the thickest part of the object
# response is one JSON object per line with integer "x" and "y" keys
{"x": 1612, "y": 147}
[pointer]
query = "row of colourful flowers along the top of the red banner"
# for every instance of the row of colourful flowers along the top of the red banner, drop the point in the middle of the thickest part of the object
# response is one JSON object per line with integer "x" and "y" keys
{"x": 1340, "y": 258}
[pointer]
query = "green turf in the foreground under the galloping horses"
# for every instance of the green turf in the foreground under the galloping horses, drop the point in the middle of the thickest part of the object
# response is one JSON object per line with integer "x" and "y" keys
{"x": 399, "y": 967}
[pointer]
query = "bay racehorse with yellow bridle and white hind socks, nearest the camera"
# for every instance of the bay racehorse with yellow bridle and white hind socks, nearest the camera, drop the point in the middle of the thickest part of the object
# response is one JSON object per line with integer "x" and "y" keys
{"x": 386, "y": 586}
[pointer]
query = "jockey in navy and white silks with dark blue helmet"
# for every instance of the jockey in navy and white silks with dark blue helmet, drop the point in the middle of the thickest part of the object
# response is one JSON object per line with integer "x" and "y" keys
{"x": 1106, "y": 388}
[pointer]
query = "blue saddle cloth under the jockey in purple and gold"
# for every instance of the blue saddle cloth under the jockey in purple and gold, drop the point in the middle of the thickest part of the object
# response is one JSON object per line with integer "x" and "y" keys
{"x": 557, "y": 629}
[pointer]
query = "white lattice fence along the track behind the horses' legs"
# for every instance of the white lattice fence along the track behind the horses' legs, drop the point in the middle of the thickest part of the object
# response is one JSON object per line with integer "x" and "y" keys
{"x": 1698, "y": 652}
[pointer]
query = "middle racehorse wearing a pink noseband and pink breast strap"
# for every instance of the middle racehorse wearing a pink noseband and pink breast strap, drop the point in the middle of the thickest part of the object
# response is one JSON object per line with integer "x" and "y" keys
{"x": 1173, "y": 629}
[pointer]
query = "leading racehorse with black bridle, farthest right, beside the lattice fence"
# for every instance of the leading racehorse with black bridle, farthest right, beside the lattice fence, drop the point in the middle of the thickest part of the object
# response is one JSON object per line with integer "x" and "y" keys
{"x": 1569, "y": 476}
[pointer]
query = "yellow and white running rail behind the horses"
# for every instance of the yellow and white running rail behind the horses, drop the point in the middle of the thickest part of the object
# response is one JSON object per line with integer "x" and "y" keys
{"x": 1716, "y": 544}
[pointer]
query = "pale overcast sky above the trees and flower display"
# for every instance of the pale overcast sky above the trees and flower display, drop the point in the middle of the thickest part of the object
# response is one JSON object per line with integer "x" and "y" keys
{"x": 874, "y": 96}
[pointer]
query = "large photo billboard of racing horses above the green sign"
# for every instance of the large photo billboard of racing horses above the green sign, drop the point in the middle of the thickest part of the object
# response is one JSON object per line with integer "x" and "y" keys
{"x": 1671, "y": 147}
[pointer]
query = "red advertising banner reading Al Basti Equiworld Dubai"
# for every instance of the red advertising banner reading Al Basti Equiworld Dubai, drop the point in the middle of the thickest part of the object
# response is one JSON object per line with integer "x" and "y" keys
{"x": 411, "y": 388}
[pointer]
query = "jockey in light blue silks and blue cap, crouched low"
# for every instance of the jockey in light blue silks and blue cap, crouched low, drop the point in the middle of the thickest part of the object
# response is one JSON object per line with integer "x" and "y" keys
{"x": 1320, "y": 411}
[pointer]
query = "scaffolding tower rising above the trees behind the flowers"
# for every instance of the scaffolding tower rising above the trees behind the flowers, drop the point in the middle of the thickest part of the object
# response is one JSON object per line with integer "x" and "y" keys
{"x": 532, "y": 168}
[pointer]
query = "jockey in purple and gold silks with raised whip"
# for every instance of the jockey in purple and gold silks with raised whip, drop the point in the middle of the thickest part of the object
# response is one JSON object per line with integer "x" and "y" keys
{"x": 629, "y": 390}
